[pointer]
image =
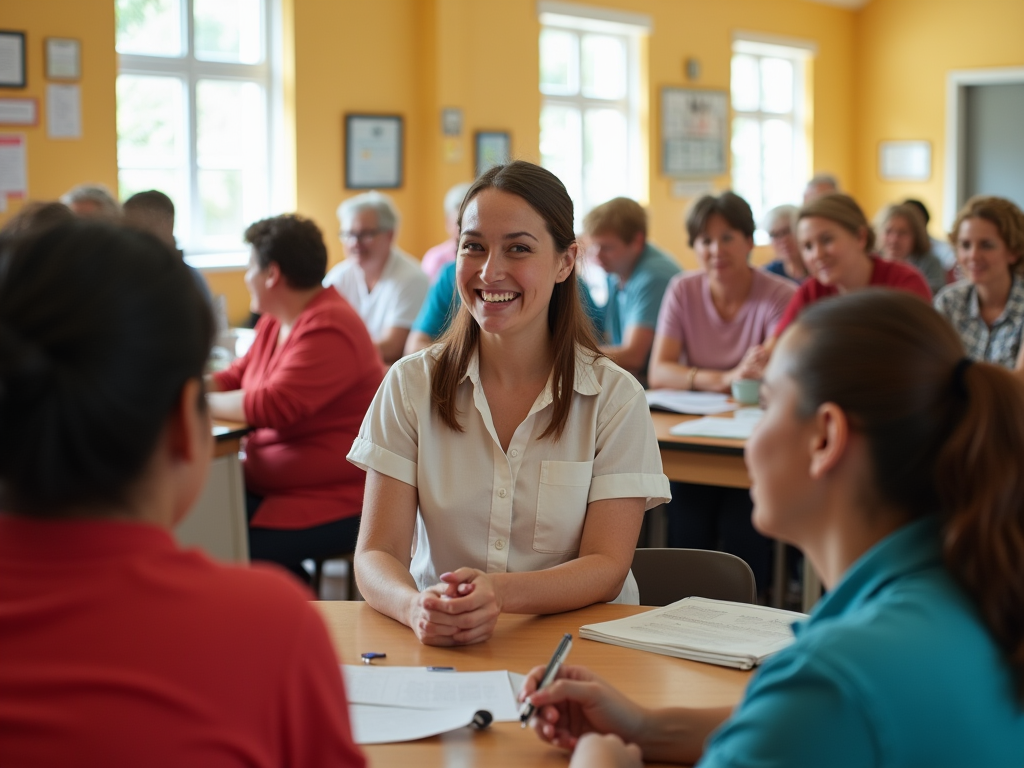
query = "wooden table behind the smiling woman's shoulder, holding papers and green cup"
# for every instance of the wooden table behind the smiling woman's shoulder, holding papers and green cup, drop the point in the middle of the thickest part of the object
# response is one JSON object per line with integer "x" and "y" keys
{"x": 716, "y": 461}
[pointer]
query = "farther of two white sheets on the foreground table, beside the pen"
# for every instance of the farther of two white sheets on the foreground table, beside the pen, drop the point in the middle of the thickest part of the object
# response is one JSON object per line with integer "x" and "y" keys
{"x": 416, "y": 688}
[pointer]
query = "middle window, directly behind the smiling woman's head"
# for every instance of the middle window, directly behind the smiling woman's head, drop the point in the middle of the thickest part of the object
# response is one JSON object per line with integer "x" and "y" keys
{"x": 590, "y": 116}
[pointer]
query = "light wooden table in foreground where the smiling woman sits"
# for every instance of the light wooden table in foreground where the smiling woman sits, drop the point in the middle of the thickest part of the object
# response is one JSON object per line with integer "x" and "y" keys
{"x": 520, "y": 644}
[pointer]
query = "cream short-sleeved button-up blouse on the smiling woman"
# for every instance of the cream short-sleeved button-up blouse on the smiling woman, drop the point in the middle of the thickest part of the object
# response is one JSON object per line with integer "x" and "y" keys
{"x": 518, "y": 511}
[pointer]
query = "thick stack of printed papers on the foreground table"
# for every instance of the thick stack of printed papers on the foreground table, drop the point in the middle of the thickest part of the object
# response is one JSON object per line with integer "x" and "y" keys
{"x": 714, "y": 631}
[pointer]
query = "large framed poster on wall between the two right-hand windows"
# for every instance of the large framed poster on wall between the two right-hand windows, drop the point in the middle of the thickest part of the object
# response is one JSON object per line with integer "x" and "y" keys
{"x": 695, "y": 133}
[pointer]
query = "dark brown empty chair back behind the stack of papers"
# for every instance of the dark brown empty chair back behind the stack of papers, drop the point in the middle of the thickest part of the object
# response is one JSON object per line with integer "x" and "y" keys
{"x": 666, "y": 576}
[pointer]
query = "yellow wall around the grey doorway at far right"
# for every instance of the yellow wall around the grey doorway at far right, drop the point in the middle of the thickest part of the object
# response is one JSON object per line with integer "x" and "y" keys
{"x": 908, "y": 49}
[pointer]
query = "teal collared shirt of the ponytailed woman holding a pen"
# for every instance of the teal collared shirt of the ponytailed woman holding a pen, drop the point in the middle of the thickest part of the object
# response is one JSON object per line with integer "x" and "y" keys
{"x": 893, "y": 668}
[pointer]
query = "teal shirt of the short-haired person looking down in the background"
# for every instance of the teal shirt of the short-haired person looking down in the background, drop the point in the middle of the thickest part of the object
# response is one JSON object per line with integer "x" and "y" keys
{"x": 638, "y": 303}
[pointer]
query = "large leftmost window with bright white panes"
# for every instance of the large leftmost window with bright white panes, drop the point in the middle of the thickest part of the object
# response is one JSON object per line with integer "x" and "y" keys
{"x": 194, "y": 96}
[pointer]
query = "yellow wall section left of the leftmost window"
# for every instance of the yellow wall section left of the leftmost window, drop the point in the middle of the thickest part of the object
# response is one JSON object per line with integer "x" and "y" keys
{"x": 57, "y": 165}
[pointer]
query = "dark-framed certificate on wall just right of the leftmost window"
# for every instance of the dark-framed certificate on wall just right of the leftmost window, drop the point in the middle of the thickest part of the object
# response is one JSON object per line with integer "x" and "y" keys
{"x": 373, "y": 152}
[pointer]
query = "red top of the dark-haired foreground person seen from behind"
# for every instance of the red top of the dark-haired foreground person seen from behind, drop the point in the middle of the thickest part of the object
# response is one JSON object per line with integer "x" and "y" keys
{"x": 121, "y": 650}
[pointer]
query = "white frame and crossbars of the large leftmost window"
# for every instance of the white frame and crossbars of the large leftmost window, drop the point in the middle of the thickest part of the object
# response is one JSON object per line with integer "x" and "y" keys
{"x": 190, "y": 71}
